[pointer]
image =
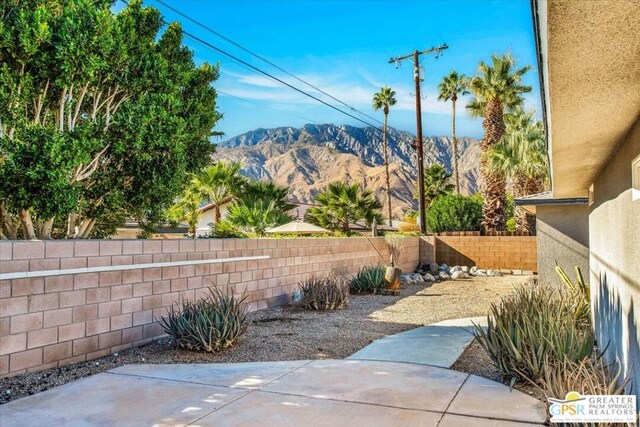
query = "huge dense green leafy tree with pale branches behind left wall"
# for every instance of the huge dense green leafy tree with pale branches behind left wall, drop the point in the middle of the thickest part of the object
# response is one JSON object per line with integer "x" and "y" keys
{"x": 102, "y": 116}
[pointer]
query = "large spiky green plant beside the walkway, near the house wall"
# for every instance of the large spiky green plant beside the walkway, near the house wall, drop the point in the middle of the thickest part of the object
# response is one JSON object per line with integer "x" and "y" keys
{"x": 533, "y": 325}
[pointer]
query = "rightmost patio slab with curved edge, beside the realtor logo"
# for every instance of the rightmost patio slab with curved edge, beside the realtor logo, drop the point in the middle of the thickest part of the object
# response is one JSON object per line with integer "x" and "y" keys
{"x": 481, "y": 397}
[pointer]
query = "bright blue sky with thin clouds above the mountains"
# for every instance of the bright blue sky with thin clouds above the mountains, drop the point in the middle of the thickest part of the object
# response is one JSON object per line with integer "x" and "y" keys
{"x": 343, "y": 47}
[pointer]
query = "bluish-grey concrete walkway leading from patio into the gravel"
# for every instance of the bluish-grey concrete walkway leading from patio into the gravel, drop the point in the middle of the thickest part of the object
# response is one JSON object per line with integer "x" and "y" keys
{"x": 439, "y": 344}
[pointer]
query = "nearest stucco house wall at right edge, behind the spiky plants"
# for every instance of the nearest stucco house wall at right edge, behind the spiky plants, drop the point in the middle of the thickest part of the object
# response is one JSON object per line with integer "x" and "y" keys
{"x": 614, "y": 241}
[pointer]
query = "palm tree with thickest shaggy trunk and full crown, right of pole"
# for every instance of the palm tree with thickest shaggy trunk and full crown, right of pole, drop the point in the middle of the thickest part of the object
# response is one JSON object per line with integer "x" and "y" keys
{"x": 497, "y": 89}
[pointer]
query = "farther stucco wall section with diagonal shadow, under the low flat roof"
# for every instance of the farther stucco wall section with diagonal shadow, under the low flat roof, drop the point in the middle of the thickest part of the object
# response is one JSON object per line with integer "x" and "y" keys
{"x": 563, "y": 237}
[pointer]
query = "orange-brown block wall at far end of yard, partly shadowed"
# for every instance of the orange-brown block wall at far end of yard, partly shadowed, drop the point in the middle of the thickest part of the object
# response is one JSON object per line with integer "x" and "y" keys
{"x": 507, "y": 252}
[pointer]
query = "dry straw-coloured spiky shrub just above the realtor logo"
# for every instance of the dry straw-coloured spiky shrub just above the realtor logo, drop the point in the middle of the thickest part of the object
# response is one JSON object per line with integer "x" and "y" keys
{"x": 591, "y": 376}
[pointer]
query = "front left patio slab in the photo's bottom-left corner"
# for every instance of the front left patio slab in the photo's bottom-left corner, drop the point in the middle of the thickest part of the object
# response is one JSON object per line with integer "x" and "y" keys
{"x": 117, "y": 400}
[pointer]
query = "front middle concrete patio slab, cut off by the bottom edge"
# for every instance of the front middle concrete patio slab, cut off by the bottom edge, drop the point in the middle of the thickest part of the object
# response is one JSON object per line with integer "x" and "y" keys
{"x": 280, "y": 410}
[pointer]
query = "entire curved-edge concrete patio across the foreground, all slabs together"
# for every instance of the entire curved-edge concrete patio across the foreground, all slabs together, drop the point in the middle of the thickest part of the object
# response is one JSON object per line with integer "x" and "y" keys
{"x": 297, "y": 393}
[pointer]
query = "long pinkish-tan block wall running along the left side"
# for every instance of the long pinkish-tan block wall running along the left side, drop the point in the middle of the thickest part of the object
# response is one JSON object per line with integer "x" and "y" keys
{"x": 74, "y": 316}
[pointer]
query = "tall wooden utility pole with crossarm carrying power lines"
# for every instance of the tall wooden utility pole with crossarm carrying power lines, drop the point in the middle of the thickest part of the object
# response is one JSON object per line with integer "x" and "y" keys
{"x": 416, "y": 76}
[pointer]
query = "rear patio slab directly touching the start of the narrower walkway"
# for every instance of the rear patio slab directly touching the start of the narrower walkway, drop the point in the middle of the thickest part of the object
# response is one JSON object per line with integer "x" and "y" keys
{"x": 381, "y": 383}
